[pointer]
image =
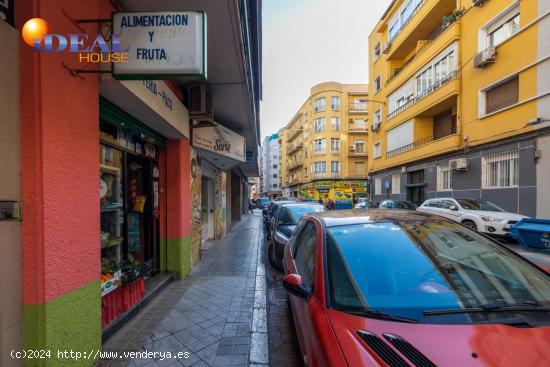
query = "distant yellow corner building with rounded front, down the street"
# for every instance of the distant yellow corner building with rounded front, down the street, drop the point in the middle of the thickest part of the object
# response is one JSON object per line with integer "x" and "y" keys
{"x": 324, "y": 146}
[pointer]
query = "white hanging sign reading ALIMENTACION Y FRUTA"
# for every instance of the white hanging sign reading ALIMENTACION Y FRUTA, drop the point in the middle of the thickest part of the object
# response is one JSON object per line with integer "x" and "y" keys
{"x": 161, "y": 45}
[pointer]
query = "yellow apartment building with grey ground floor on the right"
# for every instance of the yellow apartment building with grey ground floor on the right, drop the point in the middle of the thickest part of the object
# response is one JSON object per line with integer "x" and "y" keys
{"x": 463, "y": 102}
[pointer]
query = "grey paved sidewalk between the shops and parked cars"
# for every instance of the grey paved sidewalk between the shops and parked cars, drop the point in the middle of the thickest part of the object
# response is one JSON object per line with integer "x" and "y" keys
{"x": 216, "y": 314}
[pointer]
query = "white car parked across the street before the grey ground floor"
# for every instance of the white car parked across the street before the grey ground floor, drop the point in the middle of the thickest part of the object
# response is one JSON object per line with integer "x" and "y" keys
{"x": 477, "y": 214}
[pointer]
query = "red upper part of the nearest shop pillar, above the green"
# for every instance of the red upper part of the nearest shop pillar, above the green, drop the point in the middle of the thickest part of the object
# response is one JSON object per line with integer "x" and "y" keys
{"x": 60, "y": 158}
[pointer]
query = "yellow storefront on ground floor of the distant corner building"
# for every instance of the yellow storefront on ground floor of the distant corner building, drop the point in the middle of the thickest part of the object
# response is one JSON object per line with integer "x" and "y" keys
{"x": 343, "y": 193}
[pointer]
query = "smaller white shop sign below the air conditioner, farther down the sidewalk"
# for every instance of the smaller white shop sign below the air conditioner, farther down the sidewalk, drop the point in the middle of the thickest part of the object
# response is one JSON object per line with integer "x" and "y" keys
{"x": 219, "y": 139}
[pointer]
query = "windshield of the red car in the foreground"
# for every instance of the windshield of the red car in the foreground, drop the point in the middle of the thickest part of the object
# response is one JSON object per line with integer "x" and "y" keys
{"x": 406, "y": 268}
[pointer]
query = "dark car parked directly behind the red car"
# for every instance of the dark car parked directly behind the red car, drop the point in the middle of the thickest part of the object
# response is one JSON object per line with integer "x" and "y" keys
{"x": 283, "y": 224}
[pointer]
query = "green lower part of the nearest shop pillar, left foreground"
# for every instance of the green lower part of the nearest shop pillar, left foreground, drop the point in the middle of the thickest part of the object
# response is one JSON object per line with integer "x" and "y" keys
{"x": 69, "y": 322}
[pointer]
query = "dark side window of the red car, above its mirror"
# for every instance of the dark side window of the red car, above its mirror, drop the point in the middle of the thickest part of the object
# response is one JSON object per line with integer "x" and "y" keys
{"x": 305, "y": 254}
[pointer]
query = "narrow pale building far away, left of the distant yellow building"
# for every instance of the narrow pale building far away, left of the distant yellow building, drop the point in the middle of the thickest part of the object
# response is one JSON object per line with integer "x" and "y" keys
{"x": 271, "y": 181}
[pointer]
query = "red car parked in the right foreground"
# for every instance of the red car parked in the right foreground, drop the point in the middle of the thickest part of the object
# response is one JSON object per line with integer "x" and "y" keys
{"x": 403, "y": 288}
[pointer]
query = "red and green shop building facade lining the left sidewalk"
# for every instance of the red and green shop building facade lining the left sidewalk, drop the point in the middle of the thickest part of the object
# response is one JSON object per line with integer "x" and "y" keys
{"x": 78, "y": 249}
